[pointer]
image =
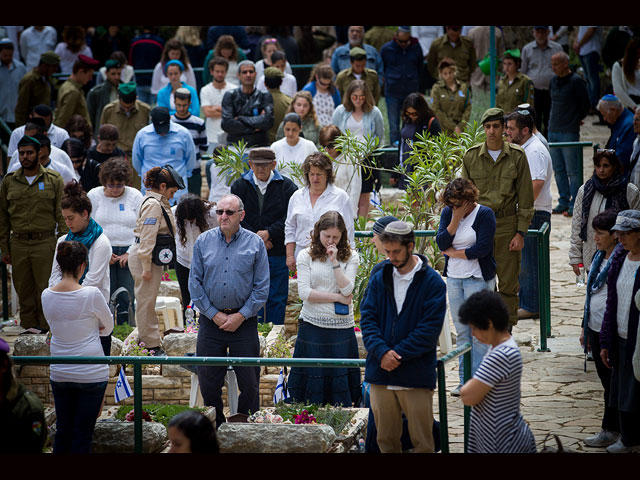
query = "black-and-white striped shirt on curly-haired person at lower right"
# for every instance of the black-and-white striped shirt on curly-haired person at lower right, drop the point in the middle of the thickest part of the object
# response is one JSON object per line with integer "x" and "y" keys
{"x": 496, "y": 423}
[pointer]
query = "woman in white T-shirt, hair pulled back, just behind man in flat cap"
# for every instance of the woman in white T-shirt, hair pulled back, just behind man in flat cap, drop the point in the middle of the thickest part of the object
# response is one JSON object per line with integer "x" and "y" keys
{"x": 292, "y": 149}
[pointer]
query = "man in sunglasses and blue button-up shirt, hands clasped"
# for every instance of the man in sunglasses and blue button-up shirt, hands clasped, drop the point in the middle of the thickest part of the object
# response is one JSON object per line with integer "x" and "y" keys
{"x": 229, "y": 284}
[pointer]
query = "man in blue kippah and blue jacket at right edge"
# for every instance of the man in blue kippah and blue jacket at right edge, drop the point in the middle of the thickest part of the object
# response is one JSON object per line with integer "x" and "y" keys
{"x": 620, "y": 121}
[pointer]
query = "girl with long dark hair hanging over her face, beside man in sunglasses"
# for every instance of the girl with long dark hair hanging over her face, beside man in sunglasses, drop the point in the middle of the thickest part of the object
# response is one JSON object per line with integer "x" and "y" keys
{"x": 193, "y": 216}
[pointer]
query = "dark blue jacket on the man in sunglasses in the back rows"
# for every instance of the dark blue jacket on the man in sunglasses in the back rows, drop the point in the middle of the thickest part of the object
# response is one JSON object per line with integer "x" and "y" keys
{"x": 402, "y": 68}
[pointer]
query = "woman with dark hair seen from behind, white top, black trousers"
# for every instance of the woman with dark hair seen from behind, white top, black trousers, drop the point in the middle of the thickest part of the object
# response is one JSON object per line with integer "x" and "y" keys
{"x": 78, "y": 316}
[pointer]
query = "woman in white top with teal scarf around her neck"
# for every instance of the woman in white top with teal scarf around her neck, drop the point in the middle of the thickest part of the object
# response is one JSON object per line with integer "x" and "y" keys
{"x": 76, "y": 210}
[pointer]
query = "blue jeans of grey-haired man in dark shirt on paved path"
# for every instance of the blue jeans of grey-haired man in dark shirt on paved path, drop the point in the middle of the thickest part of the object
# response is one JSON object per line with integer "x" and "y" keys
{"x": 566, "y": 167}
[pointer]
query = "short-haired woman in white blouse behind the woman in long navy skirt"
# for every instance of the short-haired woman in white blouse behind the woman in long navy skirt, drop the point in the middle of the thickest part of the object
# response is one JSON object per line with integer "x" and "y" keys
{"x": 307, "y": 204}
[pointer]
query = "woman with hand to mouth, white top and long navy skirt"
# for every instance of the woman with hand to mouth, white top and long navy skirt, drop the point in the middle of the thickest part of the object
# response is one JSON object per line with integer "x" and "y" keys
{"x": 326, "y": 277}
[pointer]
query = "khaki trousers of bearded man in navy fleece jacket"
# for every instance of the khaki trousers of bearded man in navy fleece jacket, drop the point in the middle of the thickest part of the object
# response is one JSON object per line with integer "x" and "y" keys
{"x": 388, "y": 406}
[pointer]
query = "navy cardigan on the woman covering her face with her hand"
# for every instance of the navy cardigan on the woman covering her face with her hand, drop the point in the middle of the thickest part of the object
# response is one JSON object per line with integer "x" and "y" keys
{"x": 485, "y": 227}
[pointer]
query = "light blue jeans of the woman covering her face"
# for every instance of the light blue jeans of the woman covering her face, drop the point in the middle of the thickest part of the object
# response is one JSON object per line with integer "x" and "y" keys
{"x": 459, "y": 289}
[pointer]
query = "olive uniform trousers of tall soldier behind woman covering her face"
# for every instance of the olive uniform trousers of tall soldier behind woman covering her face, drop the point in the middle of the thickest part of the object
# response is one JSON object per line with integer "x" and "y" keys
{"x": 507, "y": 264}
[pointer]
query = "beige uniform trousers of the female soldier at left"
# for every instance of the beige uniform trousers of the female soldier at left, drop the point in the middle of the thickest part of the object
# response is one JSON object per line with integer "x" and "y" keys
{"x": 146, "y": 292}
